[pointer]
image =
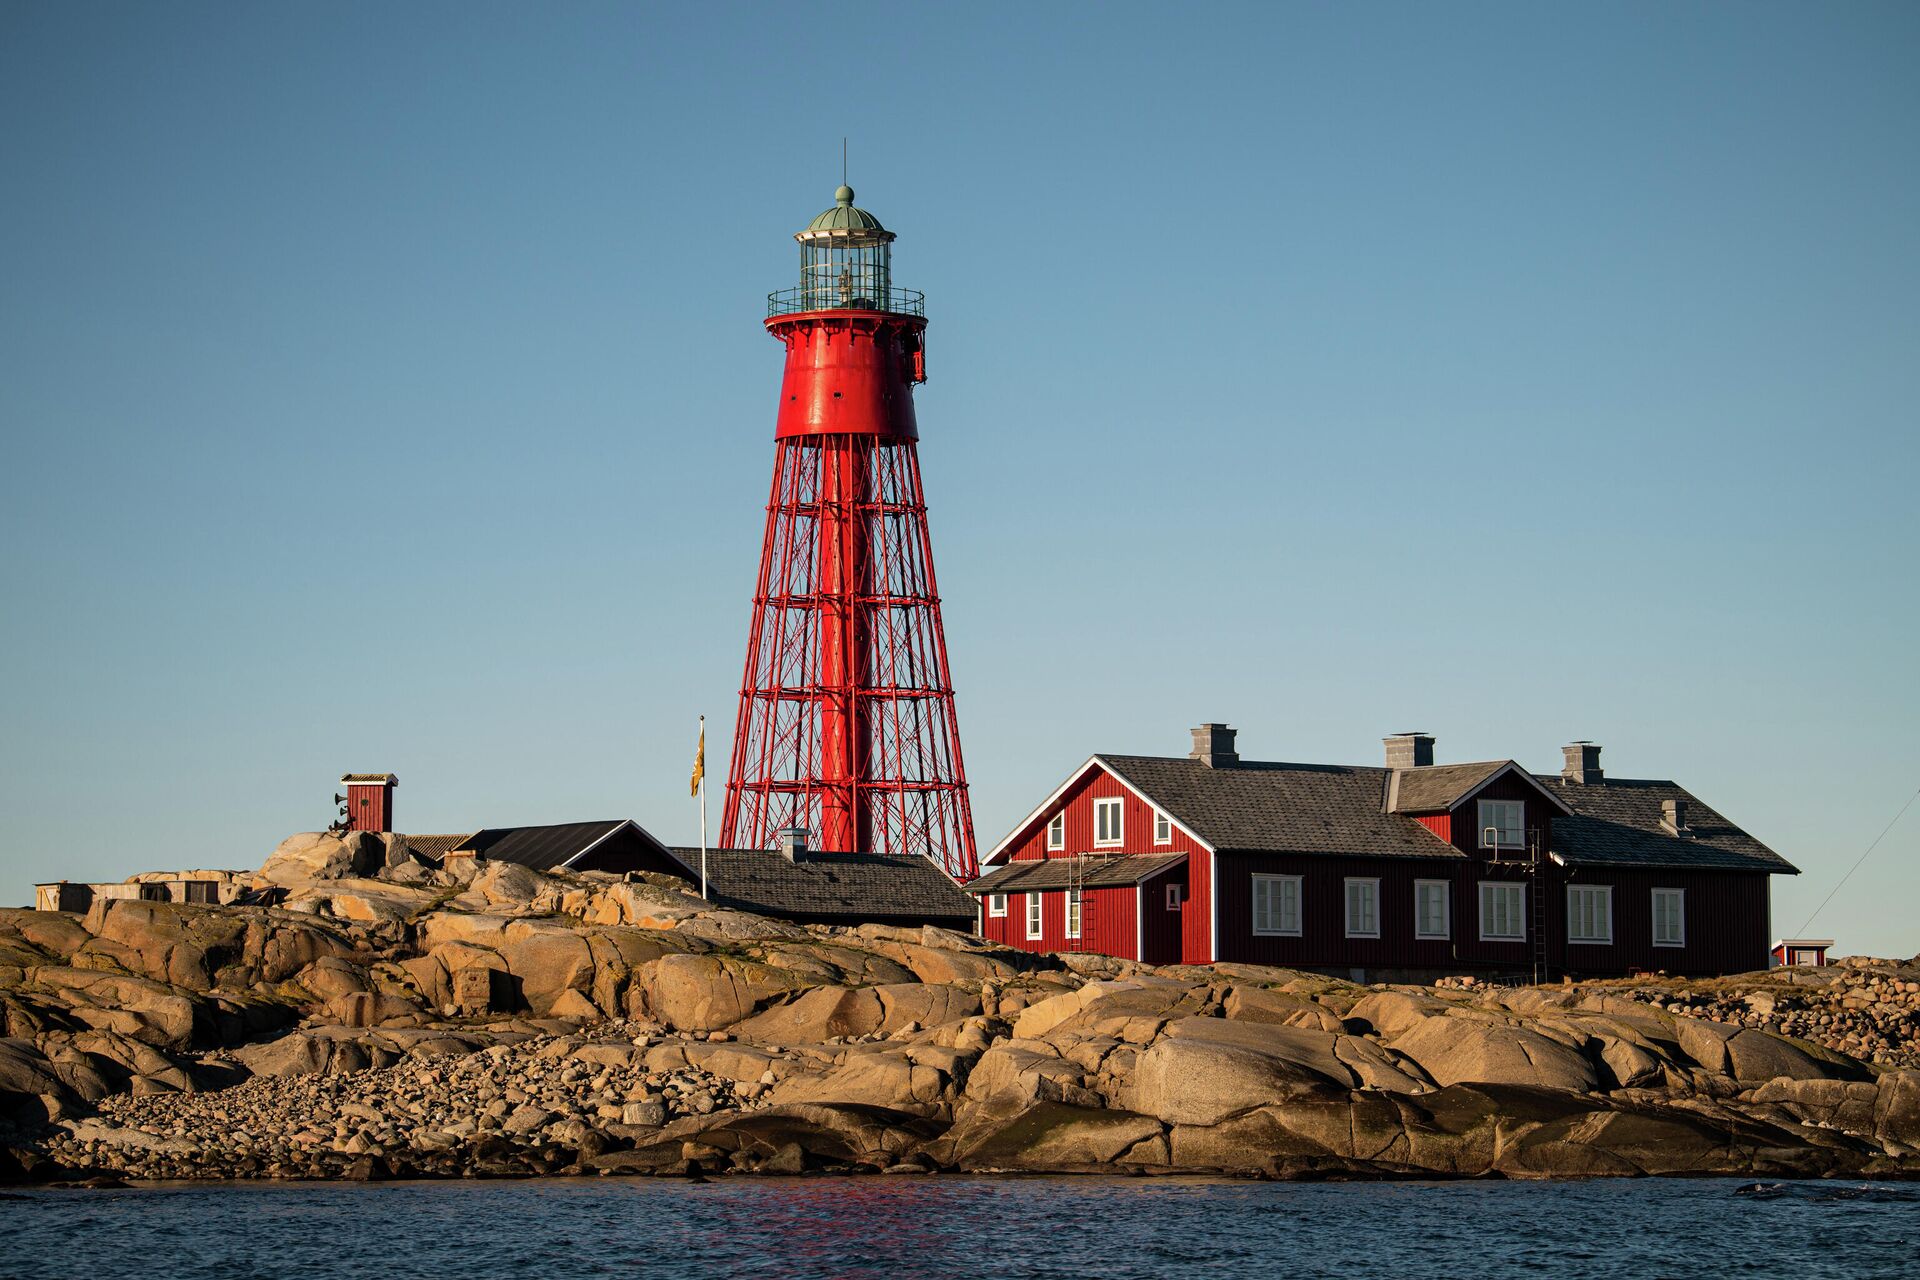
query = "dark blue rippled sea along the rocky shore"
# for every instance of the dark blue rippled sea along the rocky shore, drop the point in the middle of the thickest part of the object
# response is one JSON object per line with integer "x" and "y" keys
{"x": 976, "y": 1227}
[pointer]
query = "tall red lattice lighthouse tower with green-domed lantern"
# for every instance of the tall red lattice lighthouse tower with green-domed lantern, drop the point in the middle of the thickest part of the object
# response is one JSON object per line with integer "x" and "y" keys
{"x": 848, "y": 711}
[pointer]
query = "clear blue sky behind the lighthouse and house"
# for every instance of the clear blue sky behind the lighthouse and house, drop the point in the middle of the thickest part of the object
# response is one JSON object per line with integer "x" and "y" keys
{"x": 385, "y": 389}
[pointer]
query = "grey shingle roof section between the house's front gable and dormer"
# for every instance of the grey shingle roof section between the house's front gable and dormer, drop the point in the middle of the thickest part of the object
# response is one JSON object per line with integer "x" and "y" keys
{"x": 1284, "y": 809}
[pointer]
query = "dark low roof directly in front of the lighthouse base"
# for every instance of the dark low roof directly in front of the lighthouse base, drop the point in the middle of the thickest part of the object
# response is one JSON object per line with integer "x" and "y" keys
{"x": 830, "y": 888}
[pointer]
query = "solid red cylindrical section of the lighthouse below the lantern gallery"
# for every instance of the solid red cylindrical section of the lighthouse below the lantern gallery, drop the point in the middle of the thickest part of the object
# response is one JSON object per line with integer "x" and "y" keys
{"x": 850, "y": 373}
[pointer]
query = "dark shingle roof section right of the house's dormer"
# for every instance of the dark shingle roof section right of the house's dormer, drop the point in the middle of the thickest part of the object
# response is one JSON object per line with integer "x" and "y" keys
{"x": 1618, "y": 822}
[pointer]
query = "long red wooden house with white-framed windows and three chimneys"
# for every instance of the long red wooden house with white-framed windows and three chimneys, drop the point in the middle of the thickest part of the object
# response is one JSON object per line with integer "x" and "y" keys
{"x": 1383, "y": 874}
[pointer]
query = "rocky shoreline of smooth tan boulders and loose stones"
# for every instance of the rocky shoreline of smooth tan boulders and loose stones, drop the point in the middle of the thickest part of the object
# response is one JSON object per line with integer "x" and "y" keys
{"x": 377, "y": 1020}
